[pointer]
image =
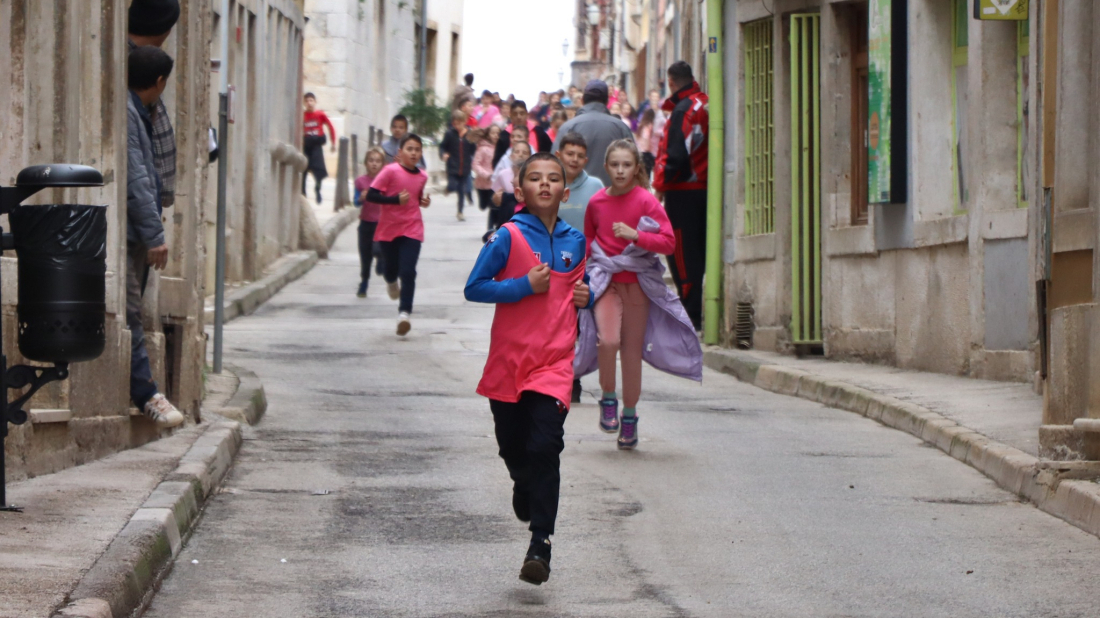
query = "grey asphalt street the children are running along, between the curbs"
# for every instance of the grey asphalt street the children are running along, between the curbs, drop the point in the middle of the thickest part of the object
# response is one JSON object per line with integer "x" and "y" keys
{"x": 372, "y": 488}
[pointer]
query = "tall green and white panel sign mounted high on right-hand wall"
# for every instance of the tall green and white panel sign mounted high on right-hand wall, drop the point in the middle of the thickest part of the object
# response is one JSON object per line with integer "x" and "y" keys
{"x": 887, "y": 149}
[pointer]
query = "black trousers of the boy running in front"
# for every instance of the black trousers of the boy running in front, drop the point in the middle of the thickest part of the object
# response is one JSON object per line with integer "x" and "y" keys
{"x": 531, "y": 435}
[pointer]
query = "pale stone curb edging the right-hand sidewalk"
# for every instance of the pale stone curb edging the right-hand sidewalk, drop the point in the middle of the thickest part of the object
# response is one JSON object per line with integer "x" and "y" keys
{"x": 1049, "y": 485}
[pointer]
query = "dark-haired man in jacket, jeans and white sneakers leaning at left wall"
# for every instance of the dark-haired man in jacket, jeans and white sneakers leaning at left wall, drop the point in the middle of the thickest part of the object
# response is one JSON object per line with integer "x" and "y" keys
{"x": 149, "y": 71}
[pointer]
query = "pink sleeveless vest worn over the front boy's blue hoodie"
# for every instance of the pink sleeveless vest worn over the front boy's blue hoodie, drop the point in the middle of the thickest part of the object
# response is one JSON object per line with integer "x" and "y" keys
{"x": 533, "y": 341}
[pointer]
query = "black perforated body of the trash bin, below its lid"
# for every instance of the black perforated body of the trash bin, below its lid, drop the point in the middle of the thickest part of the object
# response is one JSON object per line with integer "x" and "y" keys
{"x": 62, "y": 253}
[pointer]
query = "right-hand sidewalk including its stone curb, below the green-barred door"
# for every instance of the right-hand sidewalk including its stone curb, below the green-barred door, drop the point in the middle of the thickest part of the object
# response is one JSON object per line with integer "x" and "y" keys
{"x": 992, "y": 426}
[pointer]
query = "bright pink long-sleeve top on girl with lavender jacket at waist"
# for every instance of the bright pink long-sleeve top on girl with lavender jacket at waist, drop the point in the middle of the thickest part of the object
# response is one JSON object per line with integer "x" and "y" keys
{"x": 606, "y": 211}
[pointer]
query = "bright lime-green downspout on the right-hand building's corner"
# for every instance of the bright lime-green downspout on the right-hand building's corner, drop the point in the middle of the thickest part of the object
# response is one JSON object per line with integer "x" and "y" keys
{"x": 716, "y": 170}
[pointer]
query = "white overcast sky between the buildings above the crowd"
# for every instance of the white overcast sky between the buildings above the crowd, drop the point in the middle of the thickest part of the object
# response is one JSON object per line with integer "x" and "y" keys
{"x": 515, "y": 46}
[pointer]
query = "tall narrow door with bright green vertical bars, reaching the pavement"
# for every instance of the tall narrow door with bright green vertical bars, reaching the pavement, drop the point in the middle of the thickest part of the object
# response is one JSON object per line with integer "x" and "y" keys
{"x": 806, "y": 180}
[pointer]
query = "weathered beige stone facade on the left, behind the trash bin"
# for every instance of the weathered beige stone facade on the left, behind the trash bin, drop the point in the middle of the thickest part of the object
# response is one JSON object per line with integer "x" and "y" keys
{"x": 65, "y": 95}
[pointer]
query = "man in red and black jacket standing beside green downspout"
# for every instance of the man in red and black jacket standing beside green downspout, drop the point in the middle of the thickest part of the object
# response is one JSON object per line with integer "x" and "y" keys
{"x": 680, "y": 175}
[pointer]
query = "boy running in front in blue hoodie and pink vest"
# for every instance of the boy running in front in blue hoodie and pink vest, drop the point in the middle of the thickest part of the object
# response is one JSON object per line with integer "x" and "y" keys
{"x": 533, "y": 269}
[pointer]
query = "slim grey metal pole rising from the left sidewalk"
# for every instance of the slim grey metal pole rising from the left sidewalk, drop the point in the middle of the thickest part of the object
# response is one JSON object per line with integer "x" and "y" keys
{"x": 219, "y": 285}
